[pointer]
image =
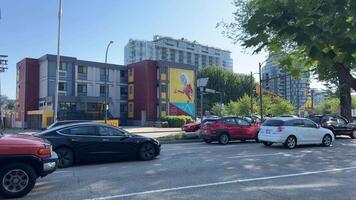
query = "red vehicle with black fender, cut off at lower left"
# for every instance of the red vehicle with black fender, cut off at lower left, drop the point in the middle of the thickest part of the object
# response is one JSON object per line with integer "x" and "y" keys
{"x": 23, "y": 159}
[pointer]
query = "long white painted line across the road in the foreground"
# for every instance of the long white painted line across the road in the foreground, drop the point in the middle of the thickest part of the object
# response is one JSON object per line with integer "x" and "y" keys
{"x": 222, "y": 183}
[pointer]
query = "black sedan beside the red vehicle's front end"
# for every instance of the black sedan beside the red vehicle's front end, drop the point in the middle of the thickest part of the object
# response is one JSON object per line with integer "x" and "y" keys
{"x": 90, "y": 141}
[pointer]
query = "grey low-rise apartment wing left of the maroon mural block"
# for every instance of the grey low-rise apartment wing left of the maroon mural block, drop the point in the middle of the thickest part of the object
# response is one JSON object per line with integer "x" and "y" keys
{"x": 81, "y": 88}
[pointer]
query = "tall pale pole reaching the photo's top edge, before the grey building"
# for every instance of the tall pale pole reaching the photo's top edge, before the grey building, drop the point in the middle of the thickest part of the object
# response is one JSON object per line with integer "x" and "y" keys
{"x": 55, "y": 117}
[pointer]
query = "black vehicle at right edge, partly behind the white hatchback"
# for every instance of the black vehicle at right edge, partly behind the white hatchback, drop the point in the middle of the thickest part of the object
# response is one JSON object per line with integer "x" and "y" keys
{"x": 336, "y": 123}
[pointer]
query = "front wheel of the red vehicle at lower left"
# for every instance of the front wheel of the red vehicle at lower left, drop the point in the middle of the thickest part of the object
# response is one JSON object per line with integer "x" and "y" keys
{"x": 16, "y": 180}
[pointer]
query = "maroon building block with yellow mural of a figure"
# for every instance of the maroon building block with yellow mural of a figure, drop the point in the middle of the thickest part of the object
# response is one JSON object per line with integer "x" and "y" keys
{"x": 159, "y": 88}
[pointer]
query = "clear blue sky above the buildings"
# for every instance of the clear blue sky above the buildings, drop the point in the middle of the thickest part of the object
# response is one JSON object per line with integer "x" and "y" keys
{"x": 28, "y": 28}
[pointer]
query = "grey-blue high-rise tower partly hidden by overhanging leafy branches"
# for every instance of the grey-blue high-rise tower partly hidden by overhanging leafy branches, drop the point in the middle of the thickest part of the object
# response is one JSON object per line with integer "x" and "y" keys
{"x": 279, "y": 81}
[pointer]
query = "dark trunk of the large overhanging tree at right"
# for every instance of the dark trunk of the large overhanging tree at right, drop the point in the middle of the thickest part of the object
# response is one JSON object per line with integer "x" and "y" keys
{"x": 345, "y": 80}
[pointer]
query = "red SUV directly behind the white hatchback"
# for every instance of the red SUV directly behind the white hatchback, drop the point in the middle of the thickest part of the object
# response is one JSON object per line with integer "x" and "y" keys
{"x": 226, "y": 129}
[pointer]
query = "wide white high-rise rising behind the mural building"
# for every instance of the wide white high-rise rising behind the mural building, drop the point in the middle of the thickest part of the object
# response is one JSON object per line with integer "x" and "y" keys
{"x": 179, "y": 51}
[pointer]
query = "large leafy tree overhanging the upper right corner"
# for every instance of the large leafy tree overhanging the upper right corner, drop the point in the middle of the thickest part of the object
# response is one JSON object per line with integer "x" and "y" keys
{"x": 317, "y": 35}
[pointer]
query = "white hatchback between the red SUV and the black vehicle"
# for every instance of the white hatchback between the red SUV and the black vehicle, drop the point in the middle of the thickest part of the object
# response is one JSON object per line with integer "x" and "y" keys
{"x": 293, "y": 131}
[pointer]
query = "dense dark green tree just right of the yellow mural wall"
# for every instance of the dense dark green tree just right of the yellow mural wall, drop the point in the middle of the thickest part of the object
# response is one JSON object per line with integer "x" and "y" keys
{"x": 232, "y": 86}
